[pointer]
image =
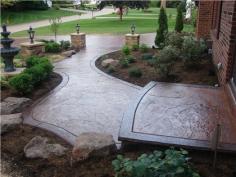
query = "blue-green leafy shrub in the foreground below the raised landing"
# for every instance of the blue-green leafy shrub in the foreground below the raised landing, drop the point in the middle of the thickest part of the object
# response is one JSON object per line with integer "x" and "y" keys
{"x": 171, "y": 163}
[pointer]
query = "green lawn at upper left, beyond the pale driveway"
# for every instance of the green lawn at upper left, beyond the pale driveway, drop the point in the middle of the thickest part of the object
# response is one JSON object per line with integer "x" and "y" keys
{"x": 11, "y": 17}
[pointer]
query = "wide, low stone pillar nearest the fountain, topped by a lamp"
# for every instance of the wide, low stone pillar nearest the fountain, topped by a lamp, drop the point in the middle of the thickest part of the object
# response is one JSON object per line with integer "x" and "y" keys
{"x": 28, "y": 49}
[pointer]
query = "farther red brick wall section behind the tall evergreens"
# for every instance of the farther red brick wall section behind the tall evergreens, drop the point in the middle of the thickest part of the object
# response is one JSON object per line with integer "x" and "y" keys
{"x": 204, "y": 19}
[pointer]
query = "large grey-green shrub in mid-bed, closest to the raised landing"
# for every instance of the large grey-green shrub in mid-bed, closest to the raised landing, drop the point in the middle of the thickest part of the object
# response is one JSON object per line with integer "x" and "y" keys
{"x": 165, "y": 60}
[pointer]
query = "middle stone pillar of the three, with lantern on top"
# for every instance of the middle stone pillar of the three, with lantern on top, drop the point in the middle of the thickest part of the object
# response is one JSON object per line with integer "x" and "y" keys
{"x": 78, "y": 41}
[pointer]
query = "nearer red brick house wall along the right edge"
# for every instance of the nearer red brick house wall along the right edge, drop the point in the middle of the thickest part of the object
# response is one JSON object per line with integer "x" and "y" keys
{"x": 224, "y": 46}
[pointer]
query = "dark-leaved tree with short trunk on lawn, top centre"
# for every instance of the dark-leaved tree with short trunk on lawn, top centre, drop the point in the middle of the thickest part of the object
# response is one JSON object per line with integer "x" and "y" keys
{"x": 140, "y": 4}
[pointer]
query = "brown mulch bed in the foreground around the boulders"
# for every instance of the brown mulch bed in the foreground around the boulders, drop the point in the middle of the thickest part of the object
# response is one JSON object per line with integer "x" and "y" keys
{"x": 12, "y": 145}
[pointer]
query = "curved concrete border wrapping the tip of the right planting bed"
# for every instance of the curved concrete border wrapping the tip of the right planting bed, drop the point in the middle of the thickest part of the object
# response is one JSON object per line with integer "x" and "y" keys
{"x": 97, "y": 70}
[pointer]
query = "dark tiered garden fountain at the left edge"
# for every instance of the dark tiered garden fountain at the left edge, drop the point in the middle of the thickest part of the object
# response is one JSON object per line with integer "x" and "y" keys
{"x": 8, "y": 52}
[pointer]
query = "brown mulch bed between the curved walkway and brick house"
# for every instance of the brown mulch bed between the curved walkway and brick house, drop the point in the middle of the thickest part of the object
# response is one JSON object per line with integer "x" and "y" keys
{"x": 203, "y": 74}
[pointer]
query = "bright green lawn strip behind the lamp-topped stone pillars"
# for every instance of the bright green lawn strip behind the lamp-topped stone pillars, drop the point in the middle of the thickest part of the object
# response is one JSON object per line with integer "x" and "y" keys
{"x": 144, "y": 24}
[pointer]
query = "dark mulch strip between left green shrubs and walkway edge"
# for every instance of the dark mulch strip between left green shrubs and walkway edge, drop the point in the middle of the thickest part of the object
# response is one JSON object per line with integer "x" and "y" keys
{"x": 48, "y": 85}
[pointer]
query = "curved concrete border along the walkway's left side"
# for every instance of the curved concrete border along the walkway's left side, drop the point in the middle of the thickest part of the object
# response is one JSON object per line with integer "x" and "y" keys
{"x": 59, "y": 131}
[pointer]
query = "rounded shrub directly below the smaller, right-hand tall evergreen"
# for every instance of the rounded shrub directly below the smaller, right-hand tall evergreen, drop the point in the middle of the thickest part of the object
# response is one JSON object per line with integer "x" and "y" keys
{"x": 175, "y": 39}
